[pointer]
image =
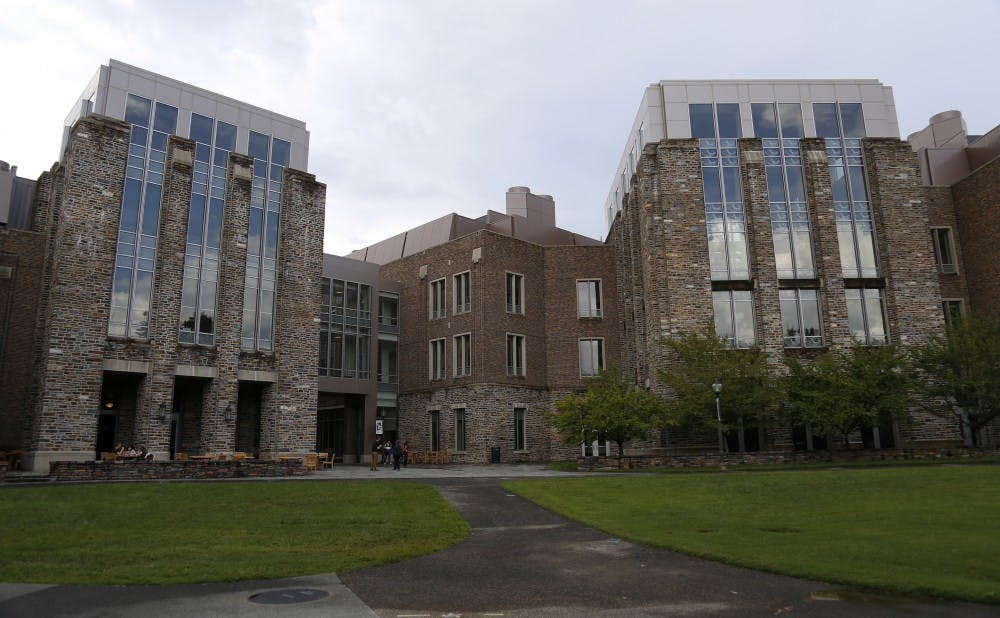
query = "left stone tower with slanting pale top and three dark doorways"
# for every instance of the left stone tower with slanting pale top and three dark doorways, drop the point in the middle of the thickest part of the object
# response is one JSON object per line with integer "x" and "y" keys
{"x": 167, "y": 277}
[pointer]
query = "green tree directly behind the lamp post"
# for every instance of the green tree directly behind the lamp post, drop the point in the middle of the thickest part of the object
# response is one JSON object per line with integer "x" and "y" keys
{"x": 750, "y": 388}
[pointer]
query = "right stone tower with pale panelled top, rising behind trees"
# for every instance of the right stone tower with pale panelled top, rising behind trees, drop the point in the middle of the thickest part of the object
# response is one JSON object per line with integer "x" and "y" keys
{"x": 788, "y": 214}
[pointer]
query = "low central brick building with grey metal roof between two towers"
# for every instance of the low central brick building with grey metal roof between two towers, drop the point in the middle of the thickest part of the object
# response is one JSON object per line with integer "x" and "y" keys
{"x": 501, "y": 316}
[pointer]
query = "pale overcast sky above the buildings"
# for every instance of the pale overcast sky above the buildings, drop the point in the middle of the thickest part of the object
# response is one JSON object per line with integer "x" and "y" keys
{"x": 420, "y": 108}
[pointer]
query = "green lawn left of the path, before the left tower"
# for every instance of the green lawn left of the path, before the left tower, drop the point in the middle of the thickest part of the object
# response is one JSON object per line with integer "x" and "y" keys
{"x": 146, "y": 533}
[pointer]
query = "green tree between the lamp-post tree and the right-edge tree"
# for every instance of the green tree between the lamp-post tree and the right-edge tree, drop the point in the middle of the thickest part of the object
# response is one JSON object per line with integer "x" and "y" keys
{"x": 842, "y": 391}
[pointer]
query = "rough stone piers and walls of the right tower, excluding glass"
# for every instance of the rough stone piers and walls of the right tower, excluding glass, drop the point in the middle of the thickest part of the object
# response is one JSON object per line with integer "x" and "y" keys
{"x": 662, "y": 260}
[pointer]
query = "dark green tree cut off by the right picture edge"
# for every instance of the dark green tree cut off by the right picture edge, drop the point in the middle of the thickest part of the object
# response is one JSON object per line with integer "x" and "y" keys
{"x": 960, "y": 372}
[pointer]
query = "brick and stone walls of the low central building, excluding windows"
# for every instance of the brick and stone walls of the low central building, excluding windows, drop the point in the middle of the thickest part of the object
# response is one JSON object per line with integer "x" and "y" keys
{"x": 549, "y": 323}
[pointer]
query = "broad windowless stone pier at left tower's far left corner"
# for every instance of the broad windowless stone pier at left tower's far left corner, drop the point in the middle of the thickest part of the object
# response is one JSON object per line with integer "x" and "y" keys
{"x": 82, "y": 222}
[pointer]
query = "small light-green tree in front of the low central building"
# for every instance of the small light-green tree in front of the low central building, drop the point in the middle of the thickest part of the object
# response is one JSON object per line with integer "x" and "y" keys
{"x": 610, "y": 409}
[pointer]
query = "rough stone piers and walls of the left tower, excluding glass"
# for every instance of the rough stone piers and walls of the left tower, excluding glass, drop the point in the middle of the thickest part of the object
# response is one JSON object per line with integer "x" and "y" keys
{"x": 157, "y": 381}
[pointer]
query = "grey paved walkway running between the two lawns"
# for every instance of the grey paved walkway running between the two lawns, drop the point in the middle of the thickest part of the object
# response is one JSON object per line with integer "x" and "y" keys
{"x": 520, "y": 560}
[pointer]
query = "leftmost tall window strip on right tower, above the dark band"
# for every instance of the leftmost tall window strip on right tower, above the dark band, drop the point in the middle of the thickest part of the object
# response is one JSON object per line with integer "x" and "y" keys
{"x": 717, "y": 128}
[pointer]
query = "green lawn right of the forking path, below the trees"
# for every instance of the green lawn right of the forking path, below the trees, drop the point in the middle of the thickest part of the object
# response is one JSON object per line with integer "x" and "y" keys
{"x": 928, "y": 530}
